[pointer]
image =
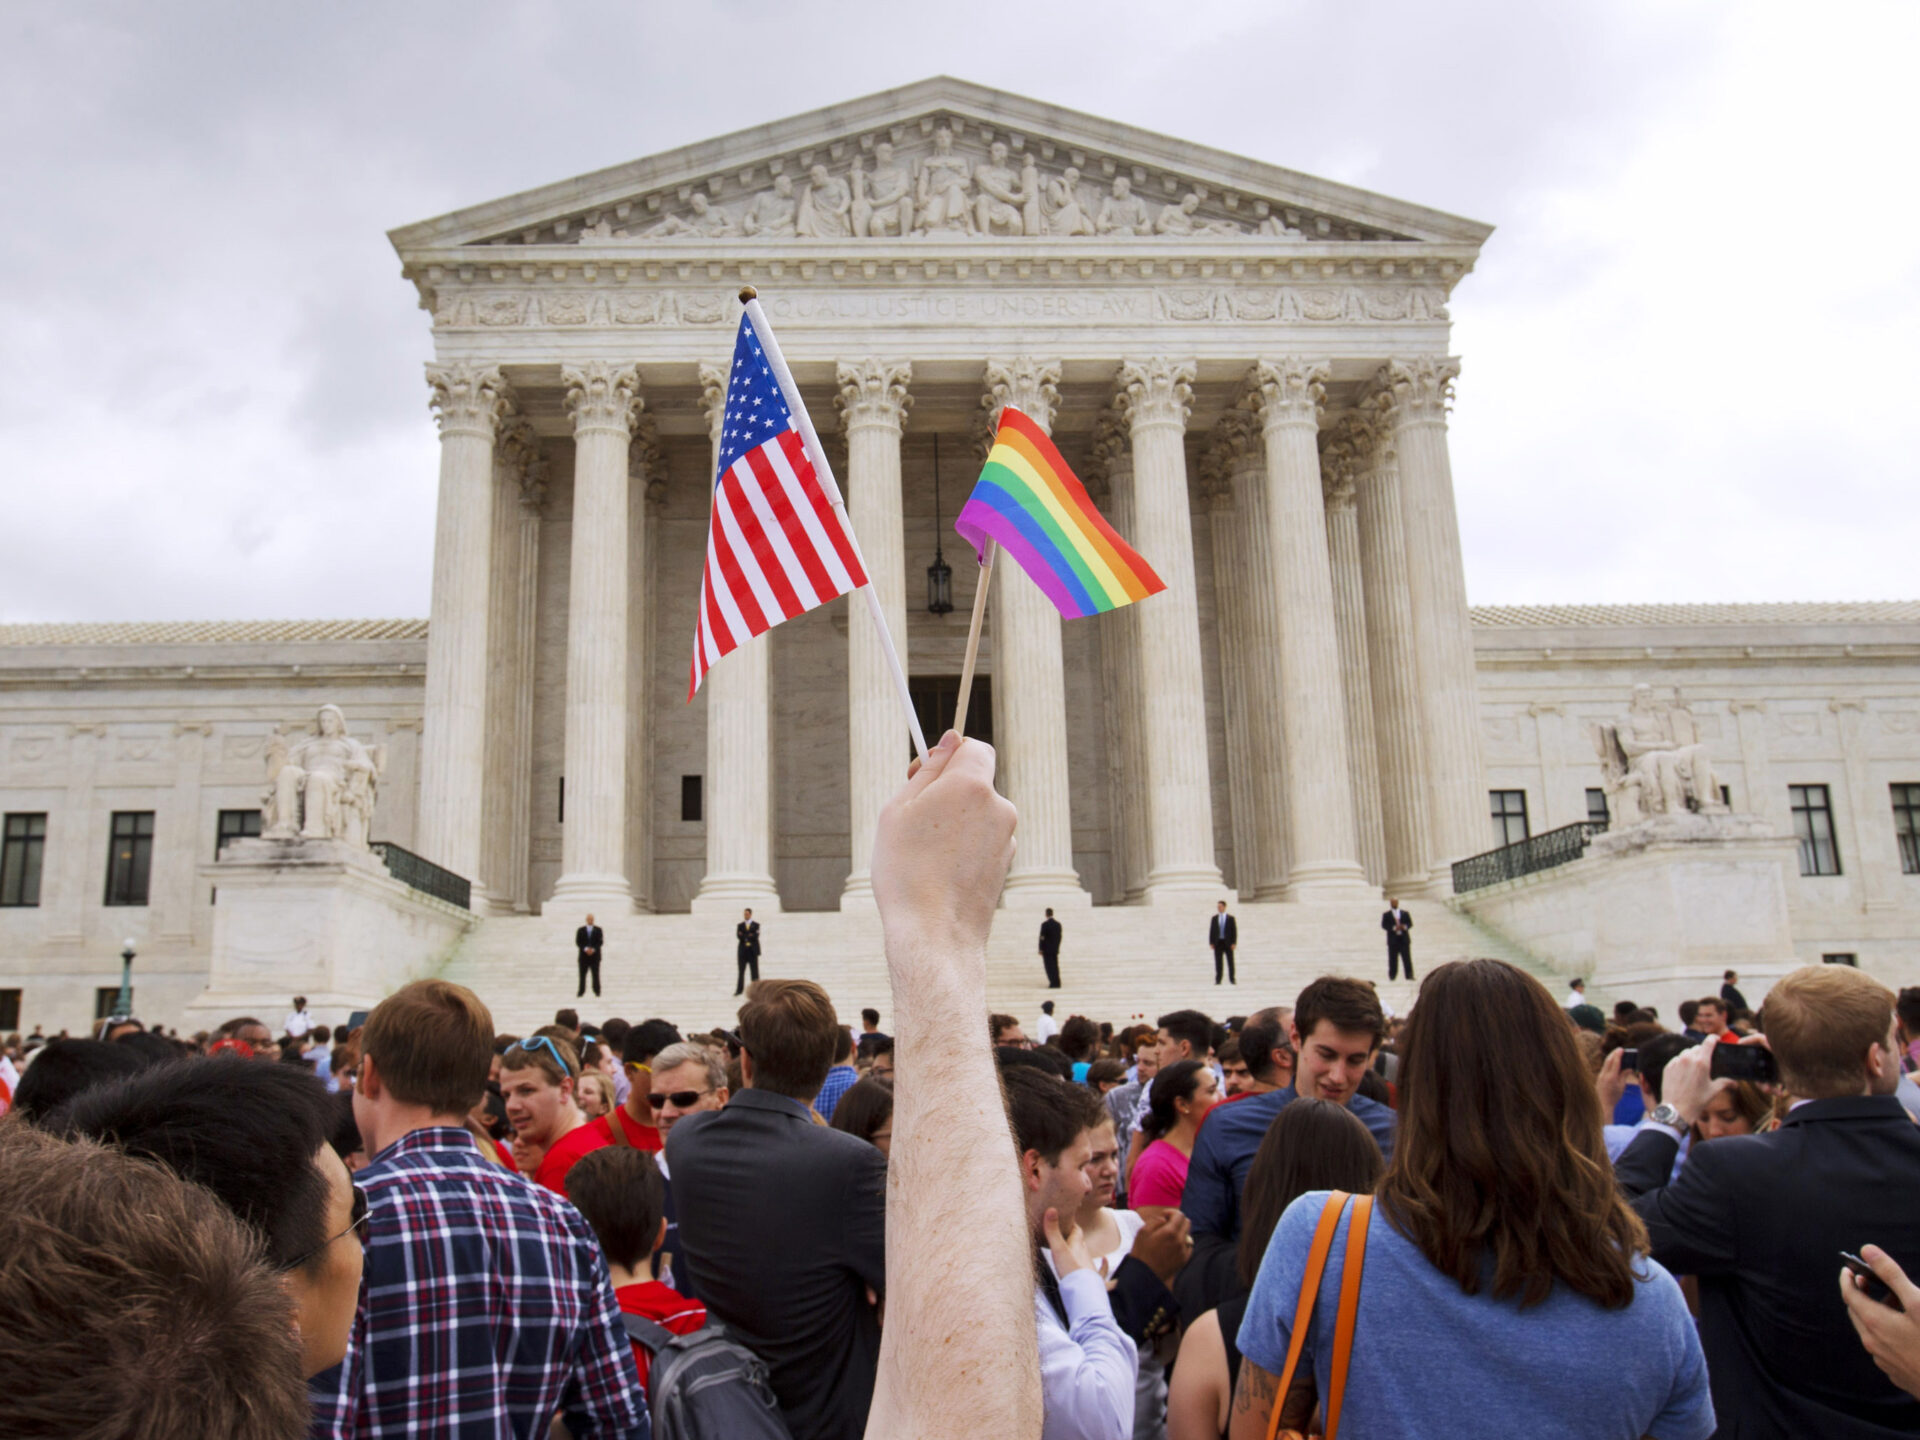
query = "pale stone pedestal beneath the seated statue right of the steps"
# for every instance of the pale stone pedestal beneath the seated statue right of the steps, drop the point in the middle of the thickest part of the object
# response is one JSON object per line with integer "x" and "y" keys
{"x": 1658, "y": 913}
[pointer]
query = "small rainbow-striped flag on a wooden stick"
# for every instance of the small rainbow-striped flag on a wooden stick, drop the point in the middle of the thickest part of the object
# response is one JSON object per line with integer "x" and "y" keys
{"x": 1032, "y": 504}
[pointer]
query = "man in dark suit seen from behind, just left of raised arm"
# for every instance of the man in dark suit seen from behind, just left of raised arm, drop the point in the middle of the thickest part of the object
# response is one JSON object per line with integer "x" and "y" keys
{"x": 784, "y": 1222}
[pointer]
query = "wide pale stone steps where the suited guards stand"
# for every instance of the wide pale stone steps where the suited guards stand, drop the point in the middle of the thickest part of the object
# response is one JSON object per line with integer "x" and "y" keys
{"x": 1118, "y": 963}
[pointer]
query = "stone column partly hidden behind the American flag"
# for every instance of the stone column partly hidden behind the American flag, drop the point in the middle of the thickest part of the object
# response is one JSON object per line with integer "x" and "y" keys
{"x": 738, "y": 692}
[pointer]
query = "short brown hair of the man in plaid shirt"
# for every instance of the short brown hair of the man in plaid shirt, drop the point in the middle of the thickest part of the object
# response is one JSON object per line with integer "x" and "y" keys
{"x": 433, "y": 1045}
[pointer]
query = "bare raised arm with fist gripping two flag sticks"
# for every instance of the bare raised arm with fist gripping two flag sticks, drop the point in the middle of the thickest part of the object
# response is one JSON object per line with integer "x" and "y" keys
{"x": 940, "y": 859}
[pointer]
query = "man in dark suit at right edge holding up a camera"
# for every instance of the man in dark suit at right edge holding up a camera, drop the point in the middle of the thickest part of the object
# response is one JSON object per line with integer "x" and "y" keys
{"x": 1762, "y": 1220}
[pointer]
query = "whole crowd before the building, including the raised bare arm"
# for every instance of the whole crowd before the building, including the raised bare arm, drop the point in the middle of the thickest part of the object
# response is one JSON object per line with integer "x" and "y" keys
{"x": 1499, "y": 1212}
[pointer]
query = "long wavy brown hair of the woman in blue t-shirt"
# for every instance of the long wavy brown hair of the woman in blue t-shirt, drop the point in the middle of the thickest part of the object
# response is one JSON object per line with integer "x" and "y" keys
{"x": 1500, "y": 1184}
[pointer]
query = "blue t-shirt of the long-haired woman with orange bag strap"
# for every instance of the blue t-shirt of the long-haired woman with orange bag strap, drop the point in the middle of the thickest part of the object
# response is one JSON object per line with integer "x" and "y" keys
{"x": 1429, "y": 1358}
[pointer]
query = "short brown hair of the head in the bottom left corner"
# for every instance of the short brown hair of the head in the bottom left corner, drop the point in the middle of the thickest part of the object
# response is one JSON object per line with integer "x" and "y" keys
{"x": 135, "y": 1305}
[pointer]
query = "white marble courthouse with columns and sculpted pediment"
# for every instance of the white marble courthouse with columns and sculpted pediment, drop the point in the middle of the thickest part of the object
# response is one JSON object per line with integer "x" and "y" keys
{"x": 1247, "y": 366}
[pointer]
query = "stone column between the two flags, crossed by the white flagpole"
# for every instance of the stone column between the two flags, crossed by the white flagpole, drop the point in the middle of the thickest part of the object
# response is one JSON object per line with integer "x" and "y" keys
{"x": 875, "y": 402}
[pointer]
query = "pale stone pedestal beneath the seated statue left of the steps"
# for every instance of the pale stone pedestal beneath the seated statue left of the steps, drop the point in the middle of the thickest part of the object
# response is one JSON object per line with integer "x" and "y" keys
{"x": 318, "y": 919}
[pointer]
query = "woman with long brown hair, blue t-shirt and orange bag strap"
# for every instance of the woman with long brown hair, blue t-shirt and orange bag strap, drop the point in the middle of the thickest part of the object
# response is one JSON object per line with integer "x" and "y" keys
{"x": 1506, "y": 1285}
